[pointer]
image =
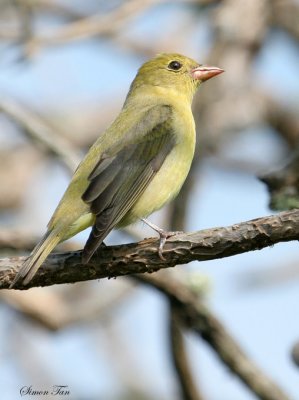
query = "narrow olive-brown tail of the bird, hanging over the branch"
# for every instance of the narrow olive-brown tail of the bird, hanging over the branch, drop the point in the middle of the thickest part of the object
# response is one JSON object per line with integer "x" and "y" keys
{"x": 37, "y": 257}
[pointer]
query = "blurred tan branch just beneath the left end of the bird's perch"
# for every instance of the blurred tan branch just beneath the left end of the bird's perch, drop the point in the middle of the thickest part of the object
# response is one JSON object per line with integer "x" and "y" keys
{"x": 57, "y": 310}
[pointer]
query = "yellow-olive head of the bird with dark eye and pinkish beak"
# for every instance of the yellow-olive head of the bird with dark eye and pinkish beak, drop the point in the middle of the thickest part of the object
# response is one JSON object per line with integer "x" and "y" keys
{"x": 174, "y": 71}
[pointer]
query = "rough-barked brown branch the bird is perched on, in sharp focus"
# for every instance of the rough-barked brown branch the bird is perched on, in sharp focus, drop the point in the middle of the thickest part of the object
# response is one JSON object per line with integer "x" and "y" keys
{"x": 143, "y": 257}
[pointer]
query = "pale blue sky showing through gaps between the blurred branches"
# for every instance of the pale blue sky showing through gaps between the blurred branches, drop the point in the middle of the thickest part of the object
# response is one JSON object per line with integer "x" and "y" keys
{"x": 262, "y": 318}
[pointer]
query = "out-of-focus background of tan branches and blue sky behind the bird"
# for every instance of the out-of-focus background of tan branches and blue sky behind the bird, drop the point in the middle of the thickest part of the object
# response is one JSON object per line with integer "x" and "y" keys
{"x": 65, "y": 69}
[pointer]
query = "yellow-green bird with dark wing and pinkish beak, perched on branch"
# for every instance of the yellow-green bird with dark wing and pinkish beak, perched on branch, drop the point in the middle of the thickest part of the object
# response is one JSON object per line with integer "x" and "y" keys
{"x": 137, "y": 165}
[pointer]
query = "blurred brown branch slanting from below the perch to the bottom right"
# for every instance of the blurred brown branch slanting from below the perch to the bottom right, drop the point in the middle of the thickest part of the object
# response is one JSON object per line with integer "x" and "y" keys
{"x": 197, "y": 317}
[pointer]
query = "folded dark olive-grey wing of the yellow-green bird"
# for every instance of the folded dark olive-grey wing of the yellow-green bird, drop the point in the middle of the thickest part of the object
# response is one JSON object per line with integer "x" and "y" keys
{"x": 122, "y": 174}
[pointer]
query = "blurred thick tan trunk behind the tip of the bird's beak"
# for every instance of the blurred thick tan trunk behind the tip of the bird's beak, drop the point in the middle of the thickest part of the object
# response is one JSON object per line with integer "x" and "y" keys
{"x": 239, "y": 101}
